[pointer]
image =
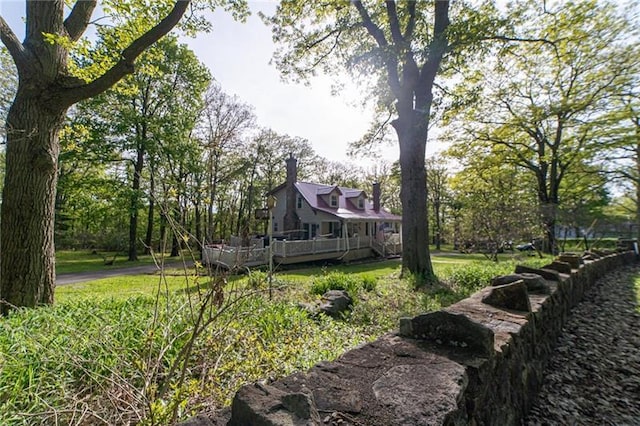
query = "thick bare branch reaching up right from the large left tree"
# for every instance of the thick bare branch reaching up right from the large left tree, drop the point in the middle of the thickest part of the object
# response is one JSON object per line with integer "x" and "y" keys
{"x": 125, "y": 65}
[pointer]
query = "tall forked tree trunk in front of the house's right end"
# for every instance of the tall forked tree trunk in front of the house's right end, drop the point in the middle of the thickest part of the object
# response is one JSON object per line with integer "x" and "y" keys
{"x": 412, "y": 89}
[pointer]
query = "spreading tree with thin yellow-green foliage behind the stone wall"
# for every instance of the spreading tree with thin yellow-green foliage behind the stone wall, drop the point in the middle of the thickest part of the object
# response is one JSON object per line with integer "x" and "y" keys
{"x": 551, "y": 100}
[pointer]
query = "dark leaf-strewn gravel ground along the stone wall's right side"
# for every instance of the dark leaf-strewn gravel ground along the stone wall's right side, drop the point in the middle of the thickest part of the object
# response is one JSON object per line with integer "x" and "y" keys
{"x": 594, "y": 375}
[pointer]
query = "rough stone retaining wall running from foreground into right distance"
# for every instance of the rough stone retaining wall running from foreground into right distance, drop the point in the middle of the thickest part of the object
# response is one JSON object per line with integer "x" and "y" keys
{"x": 479, "y": 361}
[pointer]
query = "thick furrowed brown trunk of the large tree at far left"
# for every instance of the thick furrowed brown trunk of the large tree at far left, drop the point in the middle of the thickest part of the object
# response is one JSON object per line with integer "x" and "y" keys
{"x": 28, "y": 203}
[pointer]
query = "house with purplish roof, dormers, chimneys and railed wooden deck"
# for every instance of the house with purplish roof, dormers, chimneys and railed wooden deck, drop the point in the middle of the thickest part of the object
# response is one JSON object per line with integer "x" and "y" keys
{"x": 310, "y": 221}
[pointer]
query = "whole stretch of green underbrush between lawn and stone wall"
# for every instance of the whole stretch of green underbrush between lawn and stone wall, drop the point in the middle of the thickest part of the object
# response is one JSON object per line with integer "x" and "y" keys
{"x": 156, "y": 358}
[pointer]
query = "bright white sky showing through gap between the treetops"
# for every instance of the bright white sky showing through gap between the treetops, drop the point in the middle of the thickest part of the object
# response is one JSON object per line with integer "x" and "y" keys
{"x": 238, "y": 56}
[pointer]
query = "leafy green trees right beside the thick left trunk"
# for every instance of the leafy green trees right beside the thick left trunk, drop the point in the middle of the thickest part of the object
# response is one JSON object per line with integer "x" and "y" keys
{"x": 137, "y": 131}
